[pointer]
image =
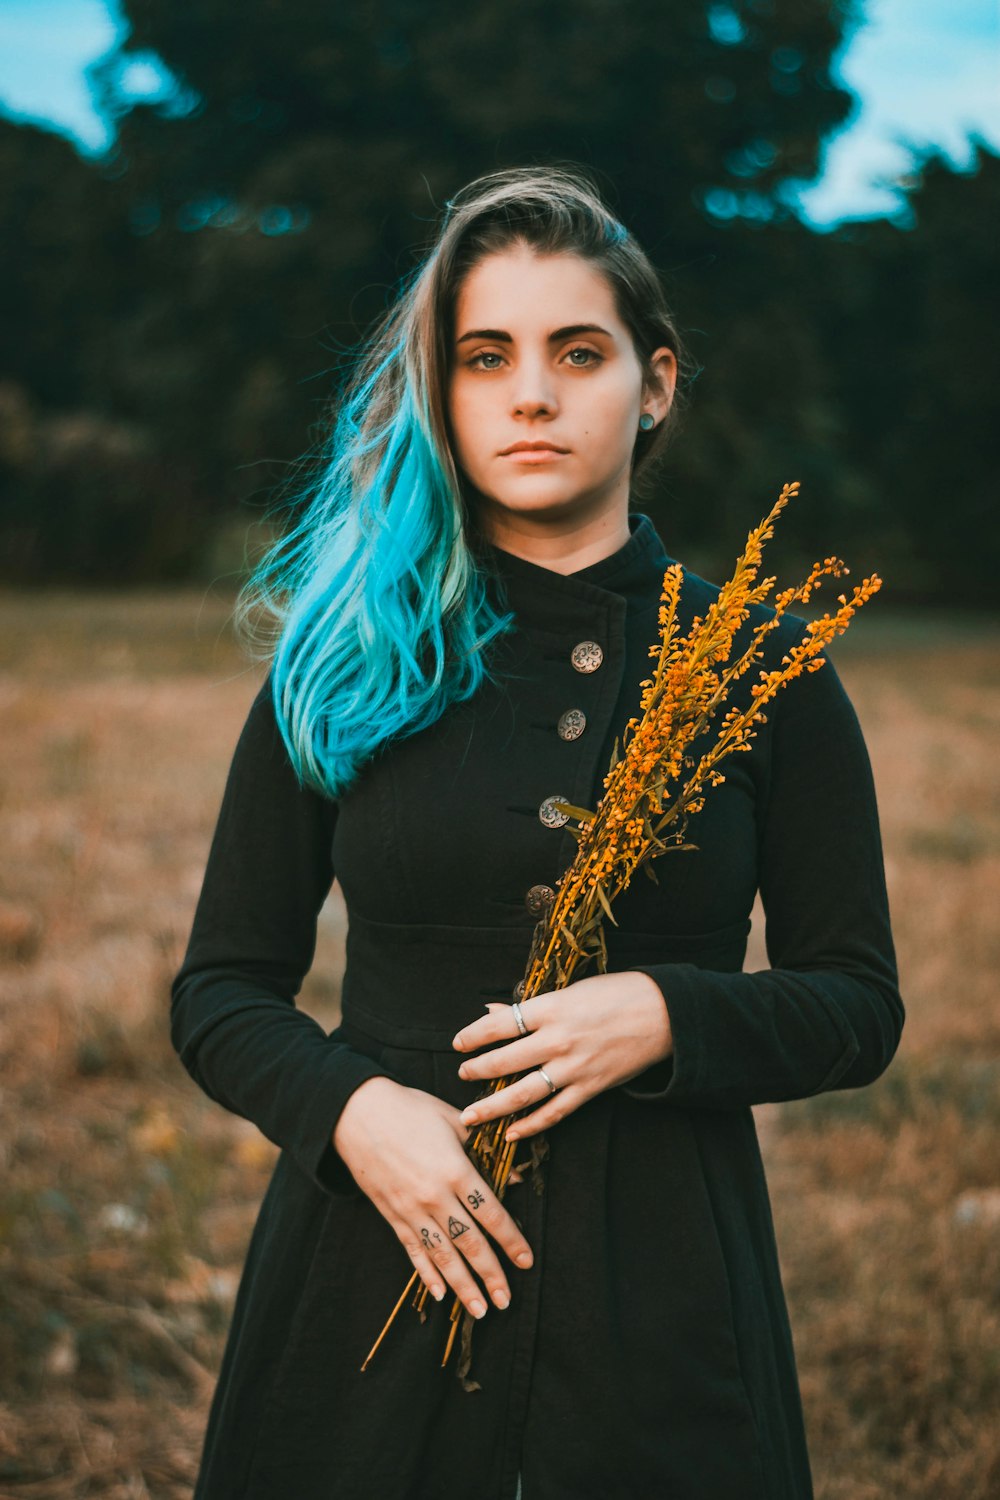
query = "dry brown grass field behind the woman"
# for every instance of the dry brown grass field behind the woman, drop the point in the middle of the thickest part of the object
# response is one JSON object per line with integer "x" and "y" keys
{"x": 127, "y": 1198}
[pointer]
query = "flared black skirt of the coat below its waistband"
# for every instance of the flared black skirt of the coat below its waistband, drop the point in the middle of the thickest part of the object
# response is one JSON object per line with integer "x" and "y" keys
{"x": 647, "y": 1352}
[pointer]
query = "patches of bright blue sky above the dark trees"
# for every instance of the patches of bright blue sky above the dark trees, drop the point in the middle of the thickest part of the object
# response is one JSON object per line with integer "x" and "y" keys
{"x": 927, "y": 74}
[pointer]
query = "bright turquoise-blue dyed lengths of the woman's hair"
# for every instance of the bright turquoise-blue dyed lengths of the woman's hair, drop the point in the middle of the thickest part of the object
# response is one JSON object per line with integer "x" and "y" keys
{"x": 385, "y": 608}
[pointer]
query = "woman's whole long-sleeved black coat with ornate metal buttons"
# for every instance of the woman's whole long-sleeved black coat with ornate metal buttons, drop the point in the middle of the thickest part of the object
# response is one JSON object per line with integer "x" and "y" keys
{"x": 647, "y": 1352}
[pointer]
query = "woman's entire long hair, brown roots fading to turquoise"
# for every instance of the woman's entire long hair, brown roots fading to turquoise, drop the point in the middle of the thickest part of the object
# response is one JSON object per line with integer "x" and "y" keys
{"x": 376, "y": 601}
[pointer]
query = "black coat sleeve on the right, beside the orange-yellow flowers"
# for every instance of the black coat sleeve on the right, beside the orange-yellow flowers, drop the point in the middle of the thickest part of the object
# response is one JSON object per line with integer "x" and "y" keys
{"x": 828, "y": 1013}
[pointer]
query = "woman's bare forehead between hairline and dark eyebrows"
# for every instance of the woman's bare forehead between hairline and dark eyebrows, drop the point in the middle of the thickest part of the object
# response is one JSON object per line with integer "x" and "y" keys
{"x": 519, "y": 289}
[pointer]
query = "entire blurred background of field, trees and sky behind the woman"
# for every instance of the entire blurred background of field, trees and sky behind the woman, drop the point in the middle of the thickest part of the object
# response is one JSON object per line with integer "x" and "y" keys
{"x": 203, "y": 208}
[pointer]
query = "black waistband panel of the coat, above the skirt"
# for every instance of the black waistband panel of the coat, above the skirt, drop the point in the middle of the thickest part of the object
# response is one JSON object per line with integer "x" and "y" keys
{"x": 418, "y": 985}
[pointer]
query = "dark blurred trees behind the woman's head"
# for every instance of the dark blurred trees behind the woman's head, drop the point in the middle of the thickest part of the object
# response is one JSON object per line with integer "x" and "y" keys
{"x": 188, "y": 298}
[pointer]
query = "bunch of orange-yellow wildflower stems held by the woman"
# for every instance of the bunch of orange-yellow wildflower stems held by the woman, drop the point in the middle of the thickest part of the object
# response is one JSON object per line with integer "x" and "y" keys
{"x": 653, "y": 788}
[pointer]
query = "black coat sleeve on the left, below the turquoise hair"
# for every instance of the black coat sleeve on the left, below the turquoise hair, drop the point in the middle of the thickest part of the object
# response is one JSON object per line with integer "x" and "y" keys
{"x": 235, "y": 1022}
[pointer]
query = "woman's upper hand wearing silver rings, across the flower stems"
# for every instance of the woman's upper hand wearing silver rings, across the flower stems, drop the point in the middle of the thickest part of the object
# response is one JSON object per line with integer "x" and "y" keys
{"x": 588, "y": 1037}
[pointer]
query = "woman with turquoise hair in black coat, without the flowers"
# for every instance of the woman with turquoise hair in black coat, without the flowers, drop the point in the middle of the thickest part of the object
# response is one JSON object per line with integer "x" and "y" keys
{"x": 466, "y": 622}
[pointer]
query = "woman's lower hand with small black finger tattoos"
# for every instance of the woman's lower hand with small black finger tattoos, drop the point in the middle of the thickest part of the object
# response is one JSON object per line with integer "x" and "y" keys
{"x": 406, "y": 1150}
